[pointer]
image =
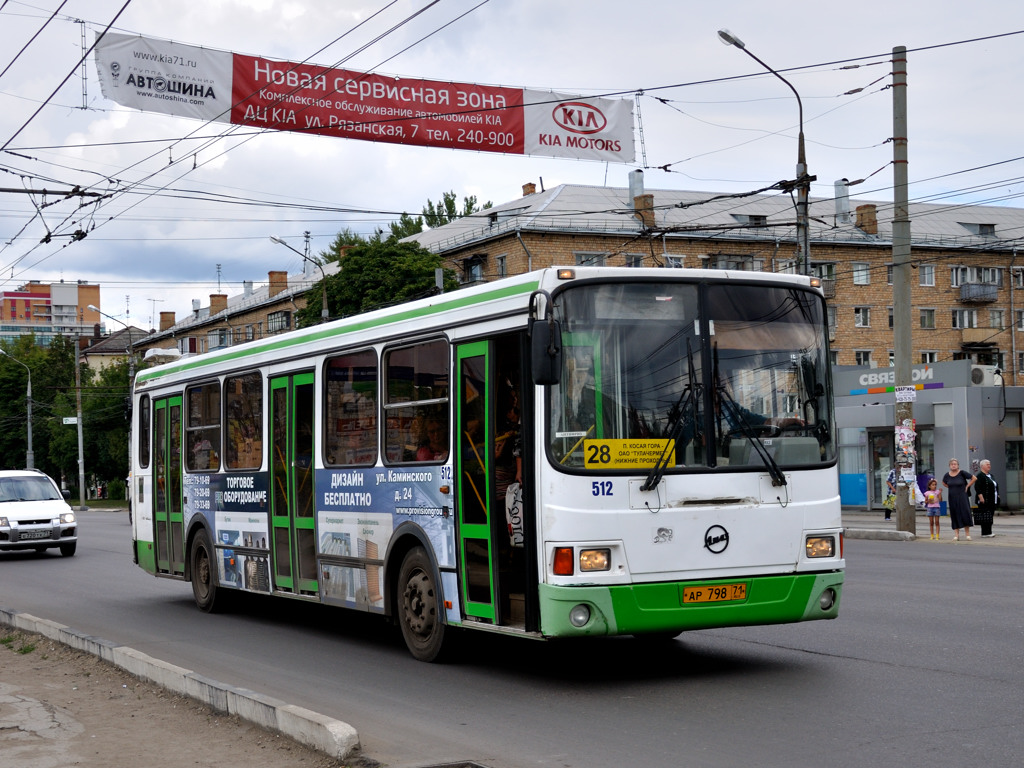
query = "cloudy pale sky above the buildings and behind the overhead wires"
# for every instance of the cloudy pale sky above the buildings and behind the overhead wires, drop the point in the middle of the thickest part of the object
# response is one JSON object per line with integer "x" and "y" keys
{"x": 713, "y": 120}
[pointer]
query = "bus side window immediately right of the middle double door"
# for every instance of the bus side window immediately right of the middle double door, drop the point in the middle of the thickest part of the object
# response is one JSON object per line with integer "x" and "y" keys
{"x": 351, "y": 410}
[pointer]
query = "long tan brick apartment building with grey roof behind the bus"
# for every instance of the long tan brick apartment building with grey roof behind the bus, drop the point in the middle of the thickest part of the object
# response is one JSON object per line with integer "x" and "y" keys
{"x": 967, "y": 303}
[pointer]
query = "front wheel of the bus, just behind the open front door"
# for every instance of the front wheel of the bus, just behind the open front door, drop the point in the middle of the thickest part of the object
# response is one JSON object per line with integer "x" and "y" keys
{"x": 421, "y": 626}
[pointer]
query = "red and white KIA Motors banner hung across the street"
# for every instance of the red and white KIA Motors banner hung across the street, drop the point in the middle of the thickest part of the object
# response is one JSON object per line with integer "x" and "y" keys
{"x": 189, "y": 81}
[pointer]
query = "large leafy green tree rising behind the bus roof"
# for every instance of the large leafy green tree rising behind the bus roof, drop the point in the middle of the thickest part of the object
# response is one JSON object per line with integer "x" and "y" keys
{"x": 377, "y": 274}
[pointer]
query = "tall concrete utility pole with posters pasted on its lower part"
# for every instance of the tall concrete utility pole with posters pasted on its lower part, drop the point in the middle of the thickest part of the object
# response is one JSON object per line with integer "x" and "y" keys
{"x": 906, "y": 461}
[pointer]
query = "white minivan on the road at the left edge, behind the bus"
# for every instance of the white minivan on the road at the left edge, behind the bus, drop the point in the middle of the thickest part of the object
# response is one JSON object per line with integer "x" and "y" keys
{"x": 34, "y": 514}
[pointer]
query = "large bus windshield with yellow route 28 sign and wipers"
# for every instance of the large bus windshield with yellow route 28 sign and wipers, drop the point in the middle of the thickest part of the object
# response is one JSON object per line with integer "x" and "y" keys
{"x": 692, "y": 376}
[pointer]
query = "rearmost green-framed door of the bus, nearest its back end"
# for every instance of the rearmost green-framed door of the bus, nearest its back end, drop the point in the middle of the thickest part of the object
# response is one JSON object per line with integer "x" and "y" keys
{"x": 168, "y": 521}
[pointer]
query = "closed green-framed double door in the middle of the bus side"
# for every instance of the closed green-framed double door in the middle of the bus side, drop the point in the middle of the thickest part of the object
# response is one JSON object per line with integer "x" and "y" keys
{"x": 293, "y": 519}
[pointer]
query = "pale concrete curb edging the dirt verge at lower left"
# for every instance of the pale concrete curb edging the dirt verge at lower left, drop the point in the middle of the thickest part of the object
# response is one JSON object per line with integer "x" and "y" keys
{"x": 331, "y": 737}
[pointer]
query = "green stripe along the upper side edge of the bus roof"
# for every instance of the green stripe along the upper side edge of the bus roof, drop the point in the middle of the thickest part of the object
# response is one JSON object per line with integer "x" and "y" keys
{"x": 290, "y": 340}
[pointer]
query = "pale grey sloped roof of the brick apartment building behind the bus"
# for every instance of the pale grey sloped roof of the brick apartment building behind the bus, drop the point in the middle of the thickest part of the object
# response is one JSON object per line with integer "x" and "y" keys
{"x": 607, "y": 210}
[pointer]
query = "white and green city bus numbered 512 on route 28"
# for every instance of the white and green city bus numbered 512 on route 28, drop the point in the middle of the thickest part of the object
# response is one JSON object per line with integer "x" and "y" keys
{"x": 569, "y": 453}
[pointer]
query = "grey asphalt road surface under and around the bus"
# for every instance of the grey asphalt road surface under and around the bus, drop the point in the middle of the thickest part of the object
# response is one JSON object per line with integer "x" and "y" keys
{"x": 924, "y": 667}
